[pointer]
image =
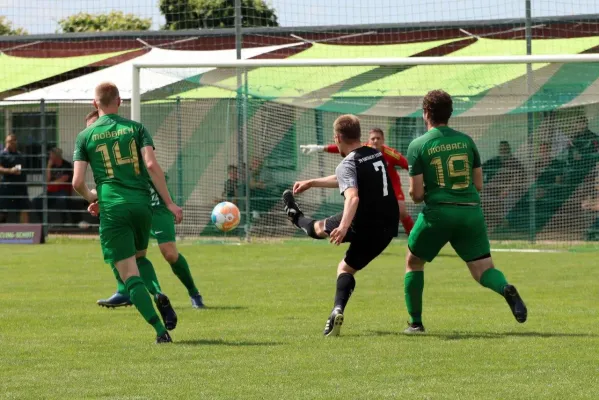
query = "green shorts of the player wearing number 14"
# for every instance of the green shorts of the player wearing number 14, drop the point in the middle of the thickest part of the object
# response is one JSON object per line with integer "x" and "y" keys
{"x": 124, "y": 230}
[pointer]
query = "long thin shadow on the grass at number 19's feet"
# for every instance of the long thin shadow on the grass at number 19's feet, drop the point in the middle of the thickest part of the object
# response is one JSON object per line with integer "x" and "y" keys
{"x": 479, "y": 335}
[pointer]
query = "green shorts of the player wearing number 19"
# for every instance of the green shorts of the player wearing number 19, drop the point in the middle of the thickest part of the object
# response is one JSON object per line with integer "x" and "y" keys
{"x": 462, "y": 226}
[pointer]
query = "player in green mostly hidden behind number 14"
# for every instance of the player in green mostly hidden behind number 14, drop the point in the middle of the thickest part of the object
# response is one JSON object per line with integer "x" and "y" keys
{"x": 163, "y": 230}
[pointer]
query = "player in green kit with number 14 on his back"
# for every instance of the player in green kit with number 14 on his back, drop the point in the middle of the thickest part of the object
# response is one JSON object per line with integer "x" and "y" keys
{"x": 121, "y": 155}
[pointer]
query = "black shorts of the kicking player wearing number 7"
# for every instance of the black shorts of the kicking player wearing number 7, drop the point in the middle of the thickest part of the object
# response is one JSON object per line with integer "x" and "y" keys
{"x": 364, "y": 246}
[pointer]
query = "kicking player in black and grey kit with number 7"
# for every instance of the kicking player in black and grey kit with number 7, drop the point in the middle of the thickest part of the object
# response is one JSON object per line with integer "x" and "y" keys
{"x": 370, "y": 213}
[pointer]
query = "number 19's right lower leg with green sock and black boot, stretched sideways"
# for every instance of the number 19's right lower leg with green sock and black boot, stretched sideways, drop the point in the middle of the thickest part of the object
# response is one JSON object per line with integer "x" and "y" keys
{"x": 488, "y": 276}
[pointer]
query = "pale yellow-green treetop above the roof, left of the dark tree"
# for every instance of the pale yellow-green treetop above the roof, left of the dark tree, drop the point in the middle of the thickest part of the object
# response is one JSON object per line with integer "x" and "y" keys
{"x": 113, "y": 21}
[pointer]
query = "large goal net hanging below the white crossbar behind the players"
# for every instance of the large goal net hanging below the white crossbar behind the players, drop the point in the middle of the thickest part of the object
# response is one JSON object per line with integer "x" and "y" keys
{"x": 225, "y": 133}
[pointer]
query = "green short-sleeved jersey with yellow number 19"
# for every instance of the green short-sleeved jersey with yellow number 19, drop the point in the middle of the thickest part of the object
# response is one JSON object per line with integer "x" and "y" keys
{"x": 446, "y": 159}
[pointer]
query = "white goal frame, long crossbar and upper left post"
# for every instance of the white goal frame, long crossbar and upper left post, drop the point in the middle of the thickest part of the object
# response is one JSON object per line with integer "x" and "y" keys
{"x": 354, "y": 62}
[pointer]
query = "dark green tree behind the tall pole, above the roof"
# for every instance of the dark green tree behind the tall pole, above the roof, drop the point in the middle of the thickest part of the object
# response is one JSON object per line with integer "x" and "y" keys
{"x": 206, "y": 14}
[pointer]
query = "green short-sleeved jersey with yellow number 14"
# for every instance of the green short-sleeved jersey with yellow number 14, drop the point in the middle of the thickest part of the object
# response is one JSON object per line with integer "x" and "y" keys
{"x": 112, "y": 146}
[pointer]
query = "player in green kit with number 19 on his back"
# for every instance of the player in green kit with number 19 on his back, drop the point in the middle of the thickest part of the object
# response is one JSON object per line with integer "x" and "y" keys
{"x": 445, "y": 172}
